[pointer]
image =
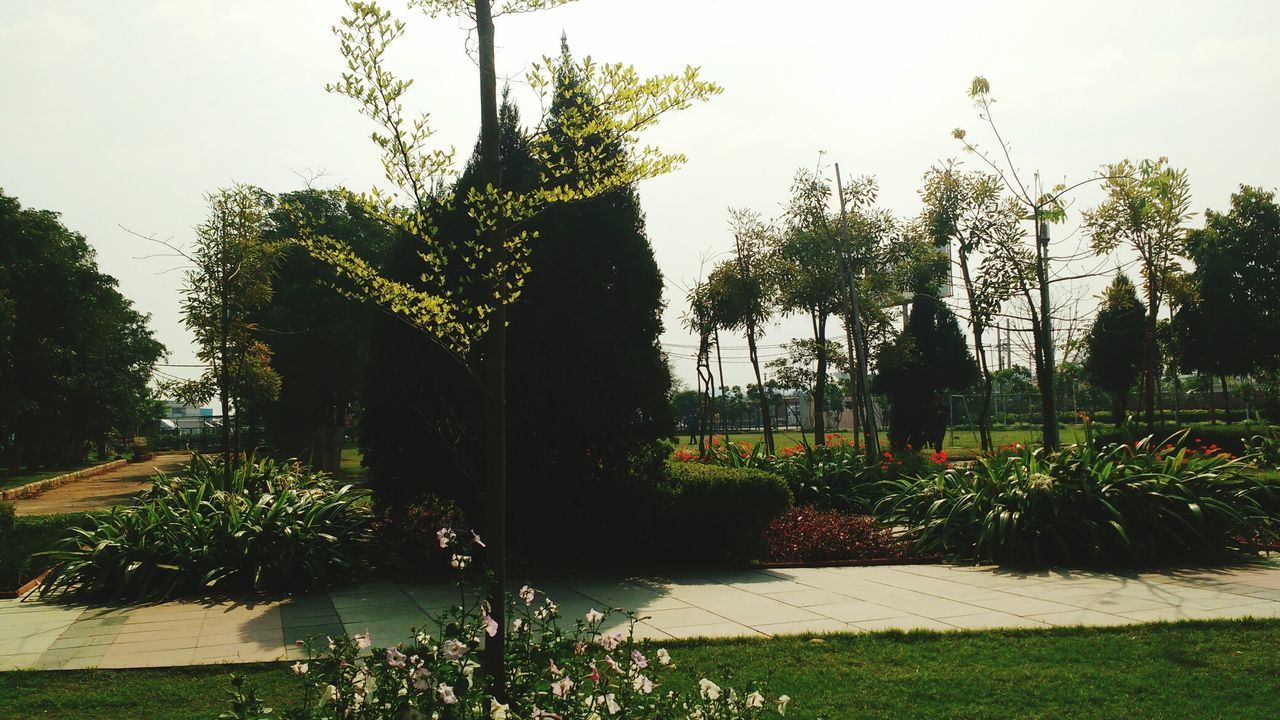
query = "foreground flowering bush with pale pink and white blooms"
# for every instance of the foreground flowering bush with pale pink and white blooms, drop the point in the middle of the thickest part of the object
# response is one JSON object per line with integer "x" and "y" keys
{"x": 598, "y": 671}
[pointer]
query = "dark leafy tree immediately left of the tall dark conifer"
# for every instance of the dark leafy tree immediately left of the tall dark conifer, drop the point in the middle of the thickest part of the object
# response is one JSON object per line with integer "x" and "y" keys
{"x": 319, "y": 341}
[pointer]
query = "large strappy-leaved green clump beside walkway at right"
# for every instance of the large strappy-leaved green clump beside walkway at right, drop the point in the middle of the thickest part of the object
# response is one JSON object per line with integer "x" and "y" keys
{"x": 1136, "y": 504}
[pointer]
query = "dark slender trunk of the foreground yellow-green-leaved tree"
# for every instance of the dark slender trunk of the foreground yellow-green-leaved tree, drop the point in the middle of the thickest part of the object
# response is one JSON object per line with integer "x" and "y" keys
{"x": 495, "y": 370}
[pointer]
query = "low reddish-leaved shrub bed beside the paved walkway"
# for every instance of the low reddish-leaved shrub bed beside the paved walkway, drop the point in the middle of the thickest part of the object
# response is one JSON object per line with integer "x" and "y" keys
{"x": 807, "y": 535}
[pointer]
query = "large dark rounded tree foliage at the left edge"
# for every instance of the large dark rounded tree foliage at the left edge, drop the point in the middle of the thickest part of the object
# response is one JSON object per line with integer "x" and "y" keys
{"x": 76, "y": 358}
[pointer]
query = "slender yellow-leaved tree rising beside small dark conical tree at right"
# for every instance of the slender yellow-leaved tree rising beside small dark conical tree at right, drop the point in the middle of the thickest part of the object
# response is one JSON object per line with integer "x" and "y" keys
{"x": 1146, "y": 208}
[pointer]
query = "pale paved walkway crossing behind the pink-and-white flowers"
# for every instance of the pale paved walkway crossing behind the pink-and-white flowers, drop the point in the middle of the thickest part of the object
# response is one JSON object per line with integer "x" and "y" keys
{"x": 685, "y": 605}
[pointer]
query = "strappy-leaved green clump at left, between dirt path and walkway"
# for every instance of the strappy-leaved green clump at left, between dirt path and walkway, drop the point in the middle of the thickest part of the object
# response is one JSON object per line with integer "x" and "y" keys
{"x": 272, "y": 527}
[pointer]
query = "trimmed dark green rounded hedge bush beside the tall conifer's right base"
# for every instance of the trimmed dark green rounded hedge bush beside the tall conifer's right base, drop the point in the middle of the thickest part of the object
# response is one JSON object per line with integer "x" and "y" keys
{"x": 720, "y": 513}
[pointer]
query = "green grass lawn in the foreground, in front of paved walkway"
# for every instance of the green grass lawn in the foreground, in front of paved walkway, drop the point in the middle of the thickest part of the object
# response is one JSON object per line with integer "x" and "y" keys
{"x": 1213, "y": 669}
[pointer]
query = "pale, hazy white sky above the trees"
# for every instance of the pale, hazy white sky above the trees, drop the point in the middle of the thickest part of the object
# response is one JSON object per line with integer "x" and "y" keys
{"x": 124, "y": 116}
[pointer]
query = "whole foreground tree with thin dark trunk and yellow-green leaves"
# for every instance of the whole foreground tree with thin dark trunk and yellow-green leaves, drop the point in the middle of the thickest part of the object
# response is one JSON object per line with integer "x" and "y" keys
{"x": 458, "y": 308}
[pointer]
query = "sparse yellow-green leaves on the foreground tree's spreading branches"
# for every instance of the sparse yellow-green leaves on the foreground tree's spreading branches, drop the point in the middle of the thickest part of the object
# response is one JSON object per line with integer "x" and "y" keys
{"x": 465, "y": 280}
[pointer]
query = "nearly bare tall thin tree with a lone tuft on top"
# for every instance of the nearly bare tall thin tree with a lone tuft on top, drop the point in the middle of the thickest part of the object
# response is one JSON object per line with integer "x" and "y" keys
{"x": 1028, "y": 268}
